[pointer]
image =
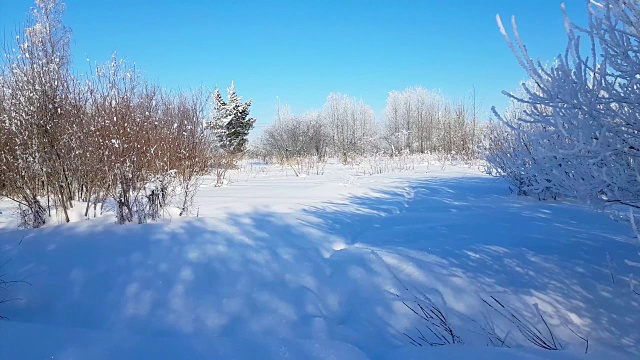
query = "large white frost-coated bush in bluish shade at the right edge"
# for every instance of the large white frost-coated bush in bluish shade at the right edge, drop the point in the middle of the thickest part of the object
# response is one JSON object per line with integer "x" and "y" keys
{"x": 577, "y": 133}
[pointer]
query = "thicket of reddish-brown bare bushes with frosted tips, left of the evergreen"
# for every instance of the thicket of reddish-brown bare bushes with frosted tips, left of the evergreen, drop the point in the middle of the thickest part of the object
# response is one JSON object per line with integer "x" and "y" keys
{"x": 65, "y": 138}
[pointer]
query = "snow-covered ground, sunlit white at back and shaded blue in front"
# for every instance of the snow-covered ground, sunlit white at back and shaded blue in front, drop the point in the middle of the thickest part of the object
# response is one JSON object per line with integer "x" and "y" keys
{"x": 278, "y": 266}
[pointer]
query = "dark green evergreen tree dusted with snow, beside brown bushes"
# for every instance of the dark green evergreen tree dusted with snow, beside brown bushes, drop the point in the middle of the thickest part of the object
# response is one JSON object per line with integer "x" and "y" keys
{"x": 230, "y": 125}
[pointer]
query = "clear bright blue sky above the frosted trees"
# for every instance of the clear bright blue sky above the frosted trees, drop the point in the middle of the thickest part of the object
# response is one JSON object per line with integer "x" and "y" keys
{"x": 299, "y": 51}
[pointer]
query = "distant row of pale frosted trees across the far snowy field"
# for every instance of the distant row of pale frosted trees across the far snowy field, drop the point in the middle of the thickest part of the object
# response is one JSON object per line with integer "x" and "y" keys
{"x": 416, "y": 121}
